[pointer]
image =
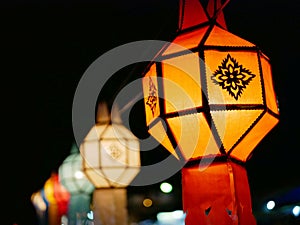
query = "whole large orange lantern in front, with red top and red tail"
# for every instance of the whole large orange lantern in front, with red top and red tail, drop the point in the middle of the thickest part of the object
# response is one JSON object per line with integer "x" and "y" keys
{"x": 209, "y": 100}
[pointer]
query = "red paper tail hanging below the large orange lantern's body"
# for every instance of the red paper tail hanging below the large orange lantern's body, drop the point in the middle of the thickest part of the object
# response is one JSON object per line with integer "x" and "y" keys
{"x": 216, "y": 194}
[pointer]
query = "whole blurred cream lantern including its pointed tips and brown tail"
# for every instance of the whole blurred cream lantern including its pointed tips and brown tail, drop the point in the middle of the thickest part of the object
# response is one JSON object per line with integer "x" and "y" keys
{"x": 111, "y": 160}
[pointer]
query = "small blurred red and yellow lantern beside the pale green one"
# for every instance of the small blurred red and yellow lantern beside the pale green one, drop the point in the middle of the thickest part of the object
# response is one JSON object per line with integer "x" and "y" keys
{"x": 57, "y": 197}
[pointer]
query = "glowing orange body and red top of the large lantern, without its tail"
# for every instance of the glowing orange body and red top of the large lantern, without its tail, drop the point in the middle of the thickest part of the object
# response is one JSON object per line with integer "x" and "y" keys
{"x": 209, "y": 85}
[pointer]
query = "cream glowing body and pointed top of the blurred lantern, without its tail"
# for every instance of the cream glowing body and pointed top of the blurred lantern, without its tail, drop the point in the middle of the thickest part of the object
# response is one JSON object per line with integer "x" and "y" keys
{"x": 111, "y": 156}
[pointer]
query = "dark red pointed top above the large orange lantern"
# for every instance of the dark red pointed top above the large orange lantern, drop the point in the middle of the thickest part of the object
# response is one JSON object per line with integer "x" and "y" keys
{"x": 193, "y": 14}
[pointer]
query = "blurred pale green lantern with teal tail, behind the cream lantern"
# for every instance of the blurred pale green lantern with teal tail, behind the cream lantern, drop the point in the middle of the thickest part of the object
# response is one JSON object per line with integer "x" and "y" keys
{"x": 72, "y": 177}
